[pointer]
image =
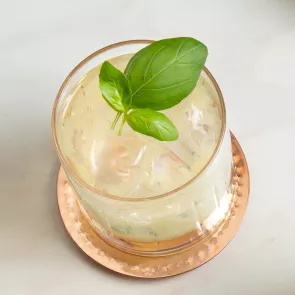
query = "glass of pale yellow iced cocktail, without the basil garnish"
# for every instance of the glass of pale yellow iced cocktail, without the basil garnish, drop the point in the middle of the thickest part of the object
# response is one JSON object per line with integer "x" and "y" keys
{"x": 142, "y": 195}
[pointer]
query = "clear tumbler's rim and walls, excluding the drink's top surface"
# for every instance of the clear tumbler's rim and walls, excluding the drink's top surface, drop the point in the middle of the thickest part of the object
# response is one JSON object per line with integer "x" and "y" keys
{"x": 161, "y": 224}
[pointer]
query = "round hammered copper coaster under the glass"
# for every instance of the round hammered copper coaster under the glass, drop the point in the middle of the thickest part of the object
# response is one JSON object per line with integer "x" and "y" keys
{"x": 162, "y": 266}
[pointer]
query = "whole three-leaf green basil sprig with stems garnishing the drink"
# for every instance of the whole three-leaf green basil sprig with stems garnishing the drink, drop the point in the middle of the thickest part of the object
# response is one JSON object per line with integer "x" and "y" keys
{"x": 157, "y": 77}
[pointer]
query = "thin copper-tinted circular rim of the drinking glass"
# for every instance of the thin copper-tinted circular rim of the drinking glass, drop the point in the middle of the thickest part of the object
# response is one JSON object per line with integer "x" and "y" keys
{"x": 79, "y": 180}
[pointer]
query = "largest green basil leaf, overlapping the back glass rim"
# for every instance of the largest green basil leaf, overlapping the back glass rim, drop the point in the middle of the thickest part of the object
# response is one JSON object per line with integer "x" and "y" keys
{"x": 165, "y": 72}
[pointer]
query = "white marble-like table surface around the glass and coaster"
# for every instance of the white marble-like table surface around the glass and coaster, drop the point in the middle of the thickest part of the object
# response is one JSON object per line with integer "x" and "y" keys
{"x": 252, "y": 56}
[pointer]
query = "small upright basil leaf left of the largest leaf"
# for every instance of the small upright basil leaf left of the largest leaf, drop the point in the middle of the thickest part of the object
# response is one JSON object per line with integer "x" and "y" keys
{"x": 115, "y": 87}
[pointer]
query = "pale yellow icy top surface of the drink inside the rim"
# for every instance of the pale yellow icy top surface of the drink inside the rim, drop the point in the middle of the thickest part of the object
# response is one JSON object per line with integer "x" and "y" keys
{"x": 134, "y": 165}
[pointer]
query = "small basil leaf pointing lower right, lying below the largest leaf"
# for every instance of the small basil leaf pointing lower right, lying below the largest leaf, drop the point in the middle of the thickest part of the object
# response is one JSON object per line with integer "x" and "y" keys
{"x": 153, "y": 124}
